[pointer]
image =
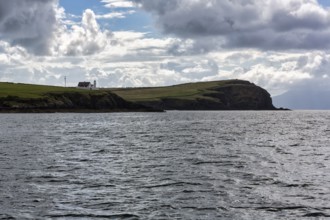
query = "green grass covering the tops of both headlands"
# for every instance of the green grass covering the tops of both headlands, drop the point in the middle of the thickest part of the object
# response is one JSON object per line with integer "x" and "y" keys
{"x": 189, "y": 91}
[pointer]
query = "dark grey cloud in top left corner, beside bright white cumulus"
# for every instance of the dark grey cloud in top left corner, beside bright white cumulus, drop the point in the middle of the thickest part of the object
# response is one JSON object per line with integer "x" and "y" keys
{"x": 28, "y": 23}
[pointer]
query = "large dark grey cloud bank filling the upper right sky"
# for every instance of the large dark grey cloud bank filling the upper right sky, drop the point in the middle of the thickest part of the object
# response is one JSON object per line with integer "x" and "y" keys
{"x": 263, "y": 24}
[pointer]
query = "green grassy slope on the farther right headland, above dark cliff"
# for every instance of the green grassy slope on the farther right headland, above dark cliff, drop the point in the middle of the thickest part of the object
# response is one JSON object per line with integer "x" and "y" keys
{"x": 189, "y": 91}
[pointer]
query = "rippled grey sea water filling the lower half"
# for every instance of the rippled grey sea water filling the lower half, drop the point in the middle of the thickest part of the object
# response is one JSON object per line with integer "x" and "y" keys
{"x": 174, "y": 165}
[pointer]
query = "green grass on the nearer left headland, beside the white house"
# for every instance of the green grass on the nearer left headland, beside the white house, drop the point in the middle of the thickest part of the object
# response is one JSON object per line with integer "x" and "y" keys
{"x": 29, "y": 91}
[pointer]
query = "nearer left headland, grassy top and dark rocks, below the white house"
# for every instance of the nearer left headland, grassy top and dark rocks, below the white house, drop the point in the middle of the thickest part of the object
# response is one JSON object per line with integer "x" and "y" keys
{"x": 38, "y": 98}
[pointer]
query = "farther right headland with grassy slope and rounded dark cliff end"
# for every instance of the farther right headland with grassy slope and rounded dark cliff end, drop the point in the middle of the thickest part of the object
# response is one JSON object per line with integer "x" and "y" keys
{"x": 218, "y": 95}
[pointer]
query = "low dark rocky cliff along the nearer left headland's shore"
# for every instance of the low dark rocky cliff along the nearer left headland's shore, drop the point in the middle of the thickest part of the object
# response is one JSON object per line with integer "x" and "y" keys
{"x": 71, "y": 102}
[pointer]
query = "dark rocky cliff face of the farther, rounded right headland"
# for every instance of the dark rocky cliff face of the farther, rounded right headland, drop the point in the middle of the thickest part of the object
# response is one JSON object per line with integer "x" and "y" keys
{"x": 236, "y": 95}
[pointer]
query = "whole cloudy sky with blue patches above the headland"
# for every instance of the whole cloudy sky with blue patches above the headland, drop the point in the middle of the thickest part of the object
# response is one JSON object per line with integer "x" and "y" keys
{"x": 279, "y": 45}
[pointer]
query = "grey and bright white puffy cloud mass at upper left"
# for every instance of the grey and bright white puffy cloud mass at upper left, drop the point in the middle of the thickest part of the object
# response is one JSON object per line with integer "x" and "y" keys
{"x": 42, "y": 28}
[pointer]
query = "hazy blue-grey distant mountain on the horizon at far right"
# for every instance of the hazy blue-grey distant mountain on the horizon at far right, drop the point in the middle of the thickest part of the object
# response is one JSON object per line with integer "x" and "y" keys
{"x": 304, "y": 100}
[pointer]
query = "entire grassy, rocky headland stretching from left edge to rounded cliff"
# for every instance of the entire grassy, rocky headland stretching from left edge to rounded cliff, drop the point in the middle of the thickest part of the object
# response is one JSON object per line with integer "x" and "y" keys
{"x": 216, "y": 95}
